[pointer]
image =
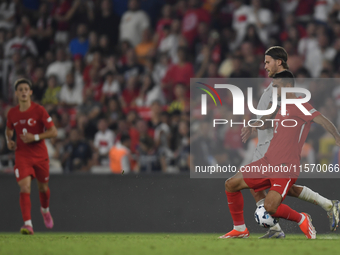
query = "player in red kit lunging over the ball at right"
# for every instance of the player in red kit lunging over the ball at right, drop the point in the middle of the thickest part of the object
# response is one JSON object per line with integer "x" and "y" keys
{"x": 284, "y": 149}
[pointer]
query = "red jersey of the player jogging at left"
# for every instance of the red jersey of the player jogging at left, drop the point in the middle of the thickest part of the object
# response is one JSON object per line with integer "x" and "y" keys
{"x": 34, "y": 120}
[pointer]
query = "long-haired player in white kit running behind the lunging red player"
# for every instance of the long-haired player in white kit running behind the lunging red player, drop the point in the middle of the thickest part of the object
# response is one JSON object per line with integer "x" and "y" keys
{"x": 275, "y": 62}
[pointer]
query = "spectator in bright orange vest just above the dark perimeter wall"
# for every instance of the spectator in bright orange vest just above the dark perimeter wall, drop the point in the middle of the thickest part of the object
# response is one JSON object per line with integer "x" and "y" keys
{"x": 120, "y": 156}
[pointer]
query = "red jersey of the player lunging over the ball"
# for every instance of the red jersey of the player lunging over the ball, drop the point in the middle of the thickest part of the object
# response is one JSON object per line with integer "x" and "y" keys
{"x": 287, "y": 142}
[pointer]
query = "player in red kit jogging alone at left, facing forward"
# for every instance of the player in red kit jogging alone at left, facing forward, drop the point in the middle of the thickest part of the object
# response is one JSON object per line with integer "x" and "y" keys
{"x": 32, "y": 125}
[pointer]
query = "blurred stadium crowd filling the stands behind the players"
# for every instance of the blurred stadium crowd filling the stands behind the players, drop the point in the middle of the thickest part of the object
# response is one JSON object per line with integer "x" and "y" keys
{"x": 114, "y": 74}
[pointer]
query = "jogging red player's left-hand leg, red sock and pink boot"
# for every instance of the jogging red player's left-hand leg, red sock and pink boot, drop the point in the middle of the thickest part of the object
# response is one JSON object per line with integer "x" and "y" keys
{"x": 25, "y": 204}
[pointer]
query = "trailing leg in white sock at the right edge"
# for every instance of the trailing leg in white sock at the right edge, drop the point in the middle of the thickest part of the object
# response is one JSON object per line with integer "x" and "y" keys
{"x": 332, "y": 207}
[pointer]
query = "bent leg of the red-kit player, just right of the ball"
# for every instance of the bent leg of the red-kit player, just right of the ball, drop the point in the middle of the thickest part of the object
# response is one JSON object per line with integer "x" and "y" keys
{"x": 273, "y": 205}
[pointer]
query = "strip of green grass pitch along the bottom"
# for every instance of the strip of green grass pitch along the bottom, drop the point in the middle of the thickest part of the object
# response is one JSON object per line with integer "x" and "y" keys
{"x": 135, "y": 243}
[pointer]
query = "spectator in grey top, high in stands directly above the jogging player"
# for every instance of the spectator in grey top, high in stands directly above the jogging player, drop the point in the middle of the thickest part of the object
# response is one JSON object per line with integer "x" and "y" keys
{"x": 20, "y": 43}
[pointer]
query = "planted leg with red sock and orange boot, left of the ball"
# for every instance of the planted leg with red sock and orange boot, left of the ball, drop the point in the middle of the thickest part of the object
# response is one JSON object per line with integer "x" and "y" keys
{"x": 235, "y": 204}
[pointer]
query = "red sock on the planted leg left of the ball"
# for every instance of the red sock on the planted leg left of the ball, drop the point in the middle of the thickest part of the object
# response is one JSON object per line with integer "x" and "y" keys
{"x": 235, "y": 203}
